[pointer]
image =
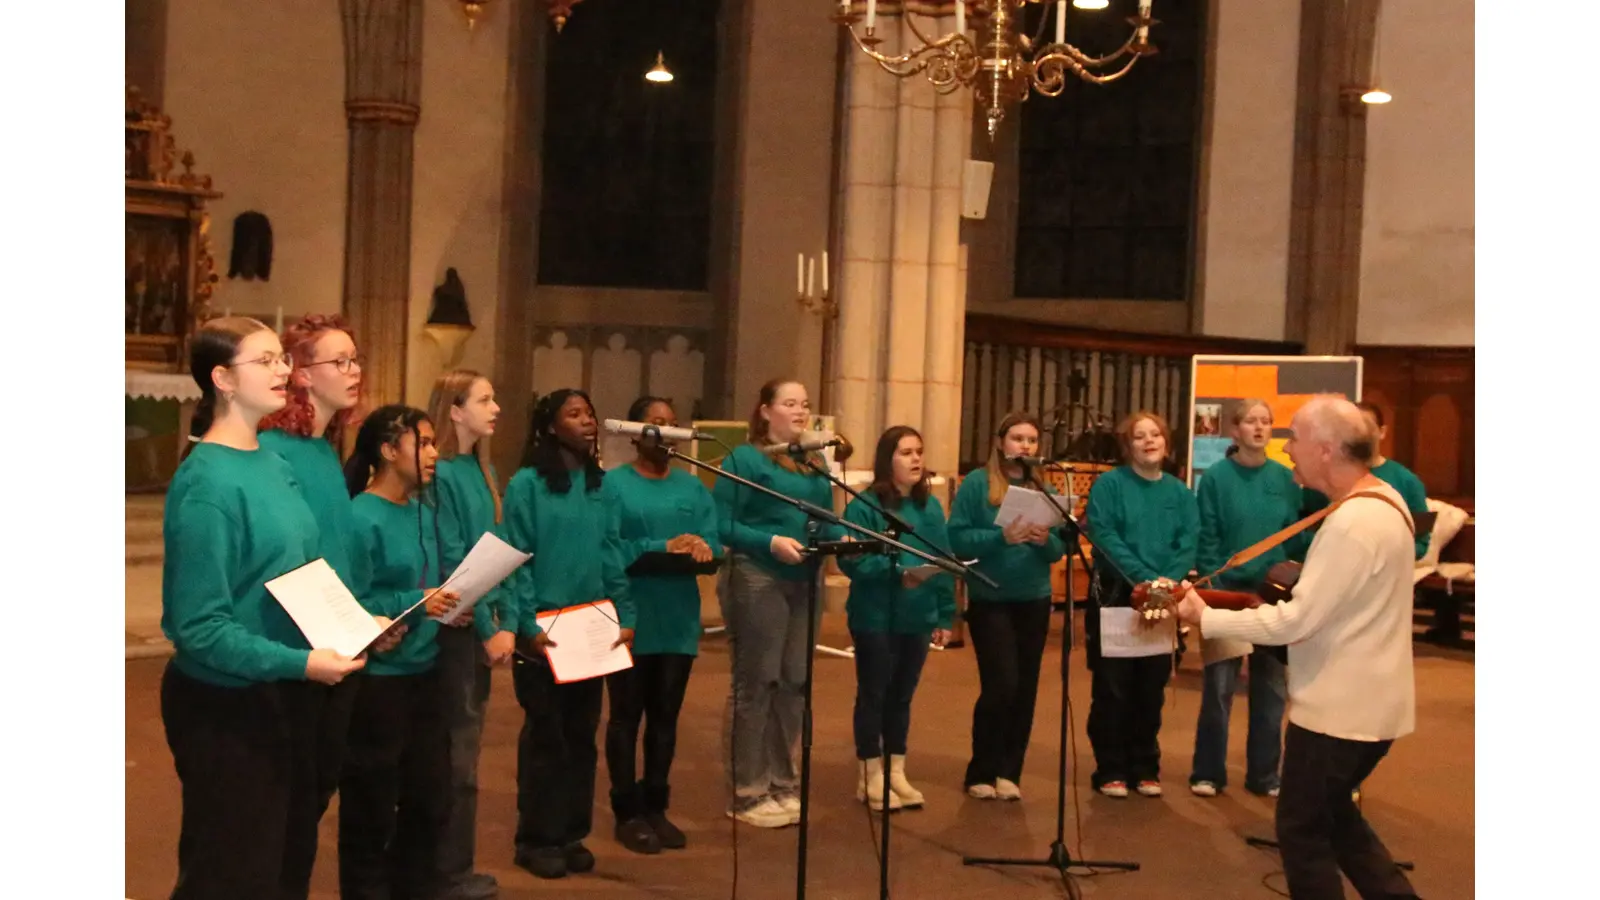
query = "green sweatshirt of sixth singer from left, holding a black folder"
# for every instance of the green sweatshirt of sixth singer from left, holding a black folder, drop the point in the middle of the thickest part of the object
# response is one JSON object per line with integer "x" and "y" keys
{"x": 654, "y": 512}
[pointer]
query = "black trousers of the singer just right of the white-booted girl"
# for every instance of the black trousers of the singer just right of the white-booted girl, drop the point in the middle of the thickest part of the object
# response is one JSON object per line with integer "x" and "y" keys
{"x": 1009, "y": 640}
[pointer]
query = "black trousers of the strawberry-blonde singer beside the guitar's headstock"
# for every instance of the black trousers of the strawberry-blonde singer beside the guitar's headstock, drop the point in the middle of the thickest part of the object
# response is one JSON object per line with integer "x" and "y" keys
{"x": 1126, "y": 710}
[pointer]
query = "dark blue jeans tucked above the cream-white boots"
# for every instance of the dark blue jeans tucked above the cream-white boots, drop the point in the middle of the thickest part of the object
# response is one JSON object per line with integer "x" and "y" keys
{"x": 887, "y": 673}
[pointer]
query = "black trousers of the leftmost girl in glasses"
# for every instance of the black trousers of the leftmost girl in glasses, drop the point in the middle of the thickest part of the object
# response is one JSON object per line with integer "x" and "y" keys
{"x": 236, "y": 763}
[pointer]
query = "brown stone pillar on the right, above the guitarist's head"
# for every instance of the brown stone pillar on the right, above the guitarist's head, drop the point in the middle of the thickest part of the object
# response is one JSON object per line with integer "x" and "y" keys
{"x": 1330, "y": 172}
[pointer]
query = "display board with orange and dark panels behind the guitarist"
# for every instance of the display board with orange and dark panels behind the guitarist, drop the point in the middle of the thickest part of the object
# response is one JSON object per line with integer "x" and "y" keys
{"x": 1220, "y": 384}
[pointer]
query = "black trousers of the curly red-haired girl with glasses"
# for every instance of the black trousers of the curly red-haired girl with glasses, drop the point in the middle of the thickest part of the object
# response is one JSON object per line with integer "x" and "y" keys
{"x": 319, "y": 720}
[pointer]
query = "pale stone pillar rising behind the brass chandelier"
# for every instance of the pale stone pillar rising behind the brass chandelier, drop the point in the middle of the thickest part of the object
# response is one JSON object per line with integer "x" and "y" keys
{"x": 902, "y": 300}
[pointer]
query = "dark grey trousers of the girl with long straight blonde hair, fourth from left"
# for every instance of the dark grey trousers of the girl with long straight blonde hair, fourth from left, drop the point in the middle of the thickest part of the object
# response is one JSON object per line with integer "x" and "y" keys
{"x": 465, "y": 681}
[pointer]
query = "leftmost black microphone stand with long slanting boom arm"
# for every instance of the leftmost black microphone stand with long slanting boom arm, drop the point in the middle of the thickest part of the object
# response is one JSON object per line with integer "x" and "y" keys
{"x": 815, "y": 552}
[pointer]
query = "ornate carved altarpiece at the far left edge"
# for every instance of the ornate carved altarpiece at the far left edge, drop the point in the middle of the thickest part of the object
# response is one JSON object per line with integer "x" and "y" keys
{"x": 169, "y": 252}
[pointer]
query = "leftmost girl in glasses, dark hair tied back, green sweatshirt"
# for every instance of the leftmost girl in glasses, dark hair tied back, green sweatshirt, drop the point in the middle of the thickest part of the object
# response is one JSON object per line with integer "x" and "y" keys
{"x": 234, "y": 521}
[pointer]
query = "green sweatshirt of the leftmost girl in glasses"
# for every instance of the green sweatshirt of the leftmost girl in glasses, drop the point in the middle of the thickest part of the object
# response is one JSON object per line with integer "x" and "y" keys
{"x": 234, "y": 521}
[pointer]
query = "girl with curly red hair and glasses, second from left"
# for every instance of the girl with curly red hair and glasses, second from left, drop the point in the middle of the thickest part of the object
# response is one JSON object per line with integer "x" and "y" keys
{"x": 322, "y": 395}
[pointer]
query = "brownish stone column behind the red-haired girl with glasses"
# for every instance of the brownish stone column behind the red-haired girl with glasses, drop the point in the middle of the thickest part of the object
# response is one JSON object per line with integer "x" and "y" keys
{"x": 383, "y": 74}
